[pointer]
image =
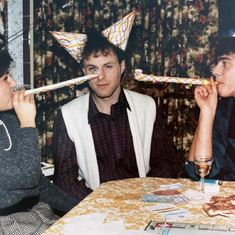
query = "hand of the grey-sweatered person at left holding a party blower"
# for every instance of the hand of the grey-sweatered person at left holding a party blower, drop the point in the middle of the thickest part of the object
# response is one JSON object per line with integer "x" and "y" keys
{"x": 25, "y": 109}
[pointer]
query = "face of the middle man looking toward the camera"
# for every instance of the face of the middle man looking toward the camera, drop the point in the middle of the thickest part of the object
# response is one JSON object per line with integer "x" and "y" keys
{"x": 107, "y": 84}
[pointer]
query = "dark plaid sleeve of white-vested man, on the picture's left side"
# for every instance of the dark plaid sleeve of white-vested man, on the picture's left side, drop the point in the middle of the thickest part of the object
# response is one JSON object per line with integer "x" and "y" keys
{"x": 65, "y": 161}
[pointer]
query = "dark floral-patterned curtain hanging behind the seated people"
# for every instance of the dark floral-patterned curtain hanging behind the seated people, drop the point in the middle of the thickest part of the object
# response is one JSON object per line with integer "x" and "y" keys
{"x": 169, "y": 38}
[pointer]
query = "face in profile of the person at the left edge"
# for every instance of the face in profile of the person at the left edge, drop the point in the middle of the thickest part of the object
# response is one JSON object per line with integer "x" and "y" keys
{"x": 7, "y": 83}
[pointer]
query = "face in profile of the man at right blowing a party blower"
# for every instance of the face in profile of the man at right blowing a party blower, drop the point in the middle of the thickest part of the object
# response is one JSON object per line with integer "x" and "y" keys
{"x": 225, "y": 75}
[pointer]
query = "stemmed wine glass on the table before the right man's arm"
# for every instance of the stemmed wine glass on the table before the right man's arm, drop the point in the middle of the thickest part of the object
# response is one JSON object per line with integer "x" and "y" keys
{"x": 203, "y": 166}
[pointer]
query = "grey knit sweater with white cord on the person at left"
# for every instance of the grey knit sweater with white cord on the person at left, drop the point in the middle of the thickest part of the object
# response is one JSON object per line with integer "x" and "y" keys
{"x": 19, "y": 165}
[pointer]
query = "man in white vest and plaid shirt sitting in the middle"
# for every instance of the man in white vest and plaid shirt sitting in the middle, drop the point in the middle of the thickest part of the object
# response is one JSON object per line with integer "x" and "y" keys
{"x": 109, "y": 133}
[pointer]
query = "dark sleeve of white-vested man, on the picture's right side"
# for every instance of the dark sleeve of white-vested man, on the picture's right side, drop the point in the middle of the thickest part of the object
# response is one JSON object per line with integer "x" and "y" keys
{"x": 163, "y": 162}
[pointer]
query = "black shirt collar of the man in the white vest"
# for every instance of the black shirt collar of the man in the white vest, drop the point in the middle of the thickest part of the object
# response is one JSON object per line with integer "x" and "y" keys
{"x": 93, "y": 110}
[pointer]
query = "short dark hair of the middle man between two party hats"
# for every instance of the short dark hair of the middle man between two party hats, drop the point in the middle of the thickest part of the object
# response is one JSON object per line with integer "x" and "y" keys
{"x": 97, "y": 43}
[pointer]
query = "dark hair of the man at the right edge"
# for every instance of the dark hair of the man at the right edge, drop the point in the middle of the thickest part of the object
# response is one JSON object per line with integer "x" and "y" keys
{"x": 225, "y": 46}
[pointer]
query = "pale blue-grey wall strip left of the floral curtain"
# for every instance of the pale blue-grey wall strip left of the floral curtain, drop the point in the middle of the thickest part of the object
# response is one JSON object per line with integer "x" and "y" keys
{"x": 19, "y": 35}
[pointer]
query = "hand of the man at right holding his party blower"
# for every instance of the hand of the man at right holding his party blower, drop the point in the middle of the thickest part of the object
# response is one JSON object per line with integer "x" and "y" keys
{"x": 207, "y": 97}
